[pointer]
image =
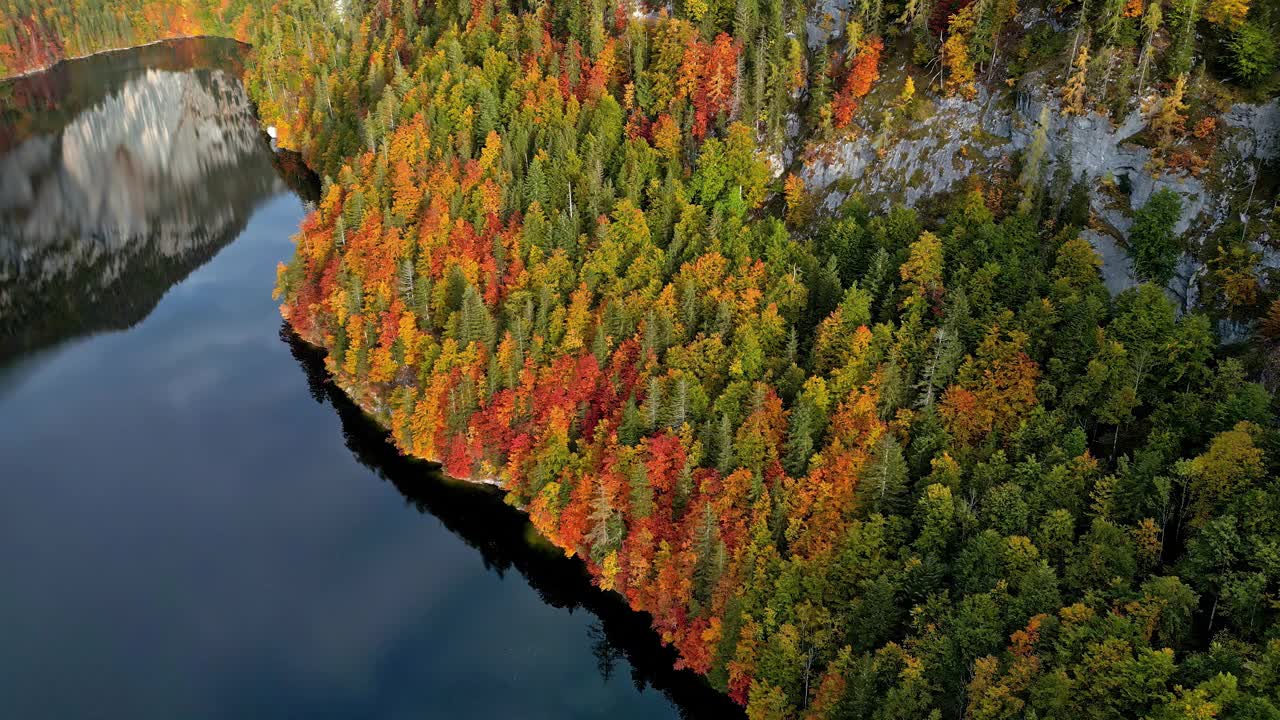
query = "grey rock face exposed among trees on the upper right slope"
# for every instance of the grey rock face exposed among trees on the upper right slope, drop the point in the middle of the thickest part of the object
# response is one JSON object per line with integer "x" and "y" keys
{"x": 966, "y": 138}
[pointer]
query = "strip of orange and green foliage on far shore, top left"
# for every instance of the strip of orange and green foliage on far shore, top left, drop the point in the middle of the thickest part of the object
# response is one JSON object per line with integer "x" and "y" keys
{"x": 36, "y": 34}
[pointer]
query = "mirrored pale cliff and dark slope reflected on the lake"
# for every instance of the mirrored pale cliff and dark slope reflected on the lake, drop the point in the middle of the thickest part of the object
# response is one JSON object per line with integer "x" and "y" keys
{"x": 102, "y": 216}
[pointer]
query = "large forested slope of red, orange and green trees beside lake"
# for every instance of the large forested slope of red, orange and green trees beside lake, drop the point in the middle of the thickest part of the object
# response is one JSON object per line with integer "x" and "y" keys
{"x": 902, "y": 359}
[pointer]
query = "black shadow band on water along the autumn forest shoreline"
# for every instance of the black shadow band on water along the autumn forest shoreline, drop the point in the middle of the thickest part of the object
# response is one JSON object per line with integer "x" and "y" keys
{"x": 506, "y": 541}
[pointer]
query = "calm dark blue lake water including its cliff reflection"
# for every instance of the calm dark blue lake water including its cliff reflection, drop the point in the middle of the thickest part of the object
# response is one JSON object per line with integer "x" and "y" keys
{"x": 193, "y": 522}
